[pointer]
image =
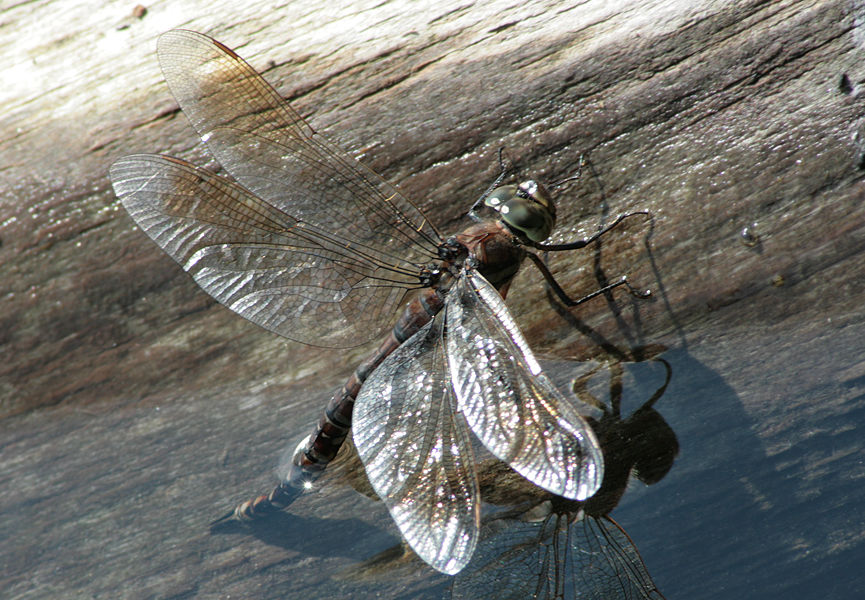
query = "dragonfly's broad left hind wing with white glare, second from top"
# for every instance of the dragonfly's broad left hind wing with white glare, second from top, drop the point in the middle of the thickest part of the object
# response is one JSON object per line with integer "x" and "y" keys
{"x": 285, "y": 275}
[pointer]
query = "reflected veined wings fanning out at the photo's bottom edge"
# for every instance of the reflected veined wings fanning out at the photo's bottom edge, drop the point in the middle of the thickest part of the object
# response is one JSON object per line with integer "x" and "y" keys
{"x": 559, "y": 557}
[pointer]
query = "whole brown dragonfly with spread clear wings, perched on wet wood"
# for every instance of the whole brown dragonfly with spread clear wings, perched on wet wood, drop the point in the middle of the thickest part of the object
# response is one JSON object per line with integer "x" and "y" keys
{"x": 307, "y": 242}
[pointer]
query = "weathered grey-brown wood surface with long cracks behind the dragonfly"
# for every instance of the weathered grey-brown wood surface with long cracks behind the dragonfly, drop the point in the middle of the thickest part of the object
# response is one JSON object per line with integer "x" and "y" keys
{"x": 135, "y": 409}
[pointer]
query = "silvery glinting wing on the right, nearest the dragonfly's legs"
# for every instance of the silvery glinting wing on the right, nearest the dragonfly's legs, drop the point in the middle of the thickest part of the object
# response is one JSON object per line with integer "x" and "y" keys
{"x": 510, "y": 405}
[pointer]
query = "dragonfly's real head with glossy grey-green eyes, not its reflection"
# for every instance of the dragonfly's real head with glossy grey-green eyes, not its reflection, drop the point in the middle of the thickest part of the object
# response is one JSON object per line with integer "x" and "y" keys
{"x": 526, "y": 208}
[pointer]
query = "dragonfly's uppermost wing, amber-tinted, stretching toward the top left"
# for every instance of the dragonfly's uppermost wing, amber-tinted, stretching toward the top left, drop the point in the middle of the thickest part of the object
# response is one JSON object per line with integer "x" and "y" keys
{"x": 268, "y": 147}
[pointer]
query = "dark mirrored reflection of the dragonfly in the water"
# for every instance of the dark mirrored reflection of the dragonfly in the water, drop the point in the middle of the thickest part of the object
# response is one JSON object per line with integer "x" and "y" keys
{"x": 545, "y": 546}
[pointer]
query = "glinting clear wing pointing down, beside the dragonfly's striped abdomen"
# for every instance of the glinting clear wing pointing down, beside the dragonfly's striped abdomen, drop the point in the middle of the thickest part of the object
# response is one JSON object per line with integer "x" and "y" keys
{"x": 417, "y": 452}
